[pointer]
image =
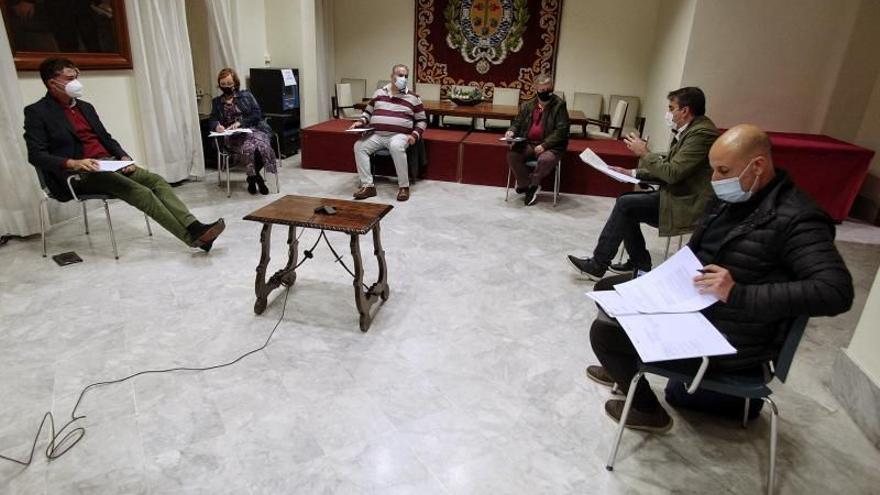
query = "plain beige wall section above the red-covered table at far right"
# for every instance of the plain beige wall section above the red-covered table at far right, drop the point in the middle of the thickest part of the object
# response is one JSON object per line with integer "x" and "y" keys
{"x": 770, "y": 63}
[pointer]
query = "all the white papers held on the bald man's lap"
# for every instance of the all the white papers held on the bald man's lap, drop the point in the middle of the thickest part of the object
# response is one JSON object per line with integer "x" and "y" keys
{"x": 659, "y": 312}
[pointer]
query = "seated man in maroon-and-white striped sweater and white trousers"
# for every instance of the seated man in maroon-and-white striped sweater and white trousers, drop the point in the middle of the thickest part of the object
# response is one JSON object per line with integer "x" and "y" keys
{"x": 398, "y": 119}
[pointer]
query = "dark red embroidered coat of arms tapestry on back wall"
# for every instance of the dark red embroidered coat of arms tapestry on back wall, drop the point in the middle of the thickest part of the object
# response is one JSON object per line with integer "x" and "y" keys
{"x": 486, "y": 43}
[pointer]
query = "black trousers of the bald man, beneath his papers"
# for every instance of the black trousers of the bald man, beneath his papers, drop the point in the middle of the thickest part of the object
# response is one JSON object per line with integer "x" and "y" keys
{"x": 620, "y": 359}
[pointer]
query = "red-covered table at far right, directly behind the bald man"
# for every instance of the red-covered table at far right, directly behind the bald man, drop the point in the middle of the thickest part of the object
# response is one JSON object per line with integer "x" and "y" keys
{"x": 829, "y": 170}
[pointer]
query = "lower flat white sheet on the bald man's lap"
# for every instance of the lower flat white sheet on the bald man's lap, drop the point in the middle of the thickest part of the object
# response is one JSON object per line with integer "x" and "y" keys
{"x": 674, "y": 336}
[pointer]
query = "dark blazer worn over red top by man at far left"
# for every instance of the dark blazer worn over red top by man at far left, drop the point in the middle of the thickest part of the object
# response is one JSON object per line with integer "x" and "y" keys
{"x": 51, "y": 141}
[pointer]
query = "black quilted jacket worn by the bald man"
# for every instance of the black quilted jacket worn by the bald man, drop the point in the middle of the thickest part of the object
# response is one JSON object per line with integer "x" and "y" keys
{"x": 784, "y": 262}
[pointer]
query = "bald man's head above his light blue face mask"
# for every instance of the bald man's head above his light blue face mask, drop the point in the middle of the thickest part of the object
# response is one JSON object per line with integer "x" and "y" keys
{"x": 743, "y": 151}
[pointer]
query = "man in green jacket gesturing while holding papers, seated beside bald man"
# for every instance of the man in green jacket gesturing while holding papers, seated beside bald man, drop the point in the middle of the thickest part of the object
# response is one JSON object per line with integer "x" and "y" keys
{"x": 684, "y": 177}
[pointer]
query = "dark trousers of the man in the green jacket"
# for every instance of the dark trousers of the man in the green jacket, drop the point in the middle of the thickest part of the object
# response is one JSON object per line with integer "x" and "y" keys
{"x": 623, "y": 225}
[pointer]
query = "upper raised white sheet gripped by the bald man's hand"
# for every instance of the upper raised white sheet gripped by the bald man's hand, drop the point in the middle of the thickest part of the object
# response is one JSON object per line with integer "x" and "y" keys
{"x": 669, "y": 288}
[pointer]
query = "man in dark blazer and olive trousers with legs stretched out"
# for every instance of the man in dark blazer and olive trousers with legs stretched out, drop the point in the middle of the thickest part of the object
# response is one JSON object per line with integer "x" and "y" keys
{"x": 66, "y": 138}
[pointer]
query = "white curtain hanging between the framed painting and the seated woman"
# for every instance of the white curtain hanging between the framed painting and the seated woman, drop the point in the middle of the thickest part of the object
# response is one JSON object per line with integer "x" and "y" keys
{"x": 165, "y": 86}
